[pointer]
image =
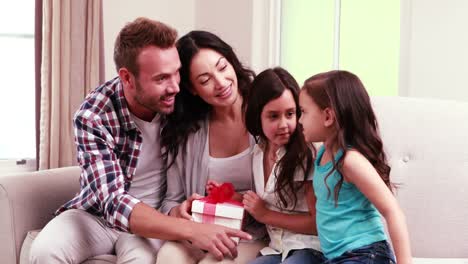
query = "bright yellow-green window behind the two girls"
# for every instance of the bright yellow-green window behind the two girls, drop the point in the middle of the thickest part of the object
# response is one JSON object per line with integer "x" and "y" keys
{"x": 361, "y": 36}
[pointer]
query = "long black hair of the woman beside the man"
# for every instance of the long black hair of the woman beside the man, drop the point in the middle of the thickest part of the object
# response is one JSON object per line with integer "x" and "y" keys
{"x": 189, "y": 109}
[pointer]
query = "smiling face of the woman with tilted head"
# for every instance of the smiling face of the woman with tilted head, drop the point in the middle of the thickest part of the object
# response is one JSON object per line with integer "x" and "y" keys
{"x": 213, "y": 78}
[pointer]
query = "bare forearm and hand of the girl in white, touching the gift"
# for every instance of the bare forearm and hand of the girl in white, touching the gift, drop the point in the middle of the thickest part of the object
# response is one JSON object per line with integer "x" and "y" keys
{"x": 299, "y": 223}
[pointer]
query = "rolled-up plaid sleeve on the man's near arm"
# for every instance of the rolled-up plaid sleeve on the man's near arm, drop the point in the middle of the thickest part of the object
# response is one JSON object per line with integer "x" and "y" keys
{"x": 102, "y": 176}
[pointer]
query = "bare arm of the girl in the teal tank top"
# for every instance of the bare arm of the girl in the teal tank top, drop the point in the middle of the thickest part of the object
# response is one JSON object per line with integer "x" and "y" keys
{"x": 359, "y": 171}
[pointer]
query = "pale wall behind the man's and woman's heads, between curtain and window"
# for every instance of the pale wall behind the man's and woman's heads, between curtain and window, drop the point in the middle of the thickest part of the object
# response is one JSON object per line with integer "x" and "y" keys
{"x": 243, "y": 24}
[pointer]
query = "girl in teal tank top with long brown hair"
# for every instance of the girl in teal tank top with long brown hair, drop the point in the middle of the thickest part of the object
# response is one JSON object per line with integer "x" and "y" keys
{"x": 351, "y": 177}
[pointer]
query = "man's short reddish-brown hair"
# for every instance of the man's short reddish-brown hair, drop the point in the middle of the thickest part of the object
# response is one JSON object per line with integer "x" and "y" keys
{"x": 135, "y": 36}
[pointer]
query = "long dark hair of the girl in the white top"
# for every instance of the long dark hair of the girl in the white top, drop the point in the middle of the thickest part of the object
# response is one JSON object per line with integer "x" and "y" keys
{"x": 269, "y": 85}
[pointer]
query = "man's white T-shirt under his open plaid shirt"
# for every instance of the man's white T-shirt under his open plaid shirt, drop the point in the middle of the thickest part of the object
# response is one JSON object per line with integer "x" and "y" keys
{"x": 148, "y": 184}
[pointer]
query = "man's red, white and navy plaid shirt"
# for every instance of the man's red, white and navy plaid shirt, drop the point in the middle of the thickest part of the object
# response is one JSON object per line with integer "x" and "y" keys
{"x": 108, "y": 144}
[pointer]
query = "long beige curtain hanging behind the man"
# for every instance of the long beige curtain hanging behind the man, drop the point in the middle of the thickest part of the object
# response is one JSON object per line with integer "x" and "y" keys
{"x": 72, "y": 65}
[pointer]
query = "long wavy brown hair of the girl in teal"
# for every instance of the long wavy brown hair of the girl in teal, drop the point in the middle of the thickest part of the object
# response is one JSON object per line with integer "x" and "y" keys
{"x": 355, "y": 121}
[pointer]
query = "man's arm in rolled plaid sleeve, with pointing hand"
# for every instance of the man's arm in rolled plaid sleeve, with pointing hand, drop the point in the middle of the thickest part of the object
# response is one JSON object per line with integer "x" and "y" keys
{"x": 105, "y": 179}
